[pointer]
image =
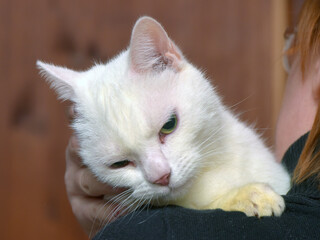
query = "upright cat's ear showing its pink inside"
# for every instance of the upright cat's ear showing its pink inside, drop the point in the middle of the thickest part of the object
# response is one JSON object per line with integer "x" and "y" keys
{"x": 151, "y": 48}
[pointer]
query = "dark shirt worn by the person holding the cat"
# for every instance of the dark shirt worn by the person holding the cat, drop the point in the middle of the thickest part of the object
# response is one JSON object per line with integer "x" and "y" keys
{"x": 300, "y": 220}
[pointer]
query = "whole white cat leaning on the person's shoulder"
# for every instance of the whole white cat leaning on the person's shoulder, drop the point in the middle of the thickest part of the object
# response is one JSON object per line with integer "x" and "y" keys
{"x": 150, "y": 121}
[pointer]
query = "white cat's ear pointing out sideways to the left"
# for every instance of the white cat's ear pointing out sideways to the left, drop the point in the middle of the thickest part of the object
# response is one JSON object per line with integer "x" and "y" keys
{"x": 61, "y": 79}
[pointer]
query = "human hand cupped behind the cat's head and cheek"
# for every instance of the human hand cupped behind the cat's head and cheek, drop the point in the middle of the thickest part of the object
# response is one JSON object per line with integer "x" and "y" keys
{"x": 86, "y": 193}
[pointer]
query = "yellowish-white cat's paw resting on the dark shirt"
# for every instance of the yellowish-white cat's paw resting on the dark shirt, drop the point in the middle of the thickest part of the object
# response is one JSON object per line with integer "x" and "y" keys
{"x": 256, "y": 199}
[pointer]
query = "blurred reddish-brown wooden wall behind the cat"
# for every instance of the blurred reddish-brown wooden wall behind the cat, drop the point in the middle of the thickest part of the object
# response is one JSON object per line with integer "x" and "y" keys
{"x": 237, "y": 43}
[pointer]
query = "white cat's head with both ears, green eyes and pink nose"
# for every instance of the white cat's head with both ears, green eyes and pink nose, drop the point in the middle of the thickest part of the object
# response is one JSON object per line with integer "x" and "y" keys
{"x": 142, "y": 118}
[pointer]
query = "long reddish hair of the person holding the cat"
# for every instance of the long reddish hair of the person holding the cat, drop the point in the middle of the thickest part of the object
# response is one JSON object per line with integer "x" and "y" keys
{"x": 307, "y": 46}
